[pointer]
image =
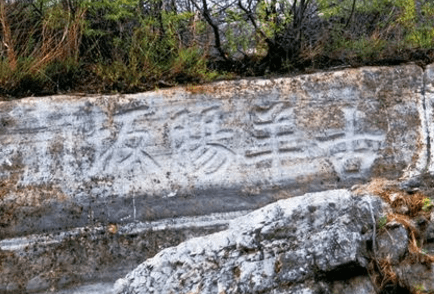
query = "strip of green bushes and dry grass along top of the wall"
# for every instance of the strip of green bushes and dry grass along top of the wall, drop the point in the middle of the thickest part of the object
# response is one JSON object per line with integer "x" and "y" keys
{"x": 104, "y": 46}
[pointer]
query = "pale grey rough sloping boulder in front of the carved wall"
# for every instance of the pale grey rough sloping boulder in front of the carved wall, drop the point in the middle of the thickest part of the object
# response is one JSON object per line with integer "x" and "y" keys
{"x": 310, "y": 238}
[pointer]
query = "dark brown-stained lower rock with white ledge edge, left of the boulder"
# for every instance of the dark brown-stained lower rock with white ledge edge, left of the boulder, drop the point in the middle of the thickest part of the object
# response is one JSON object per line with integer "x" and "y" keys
{"x": 93, "y": 254}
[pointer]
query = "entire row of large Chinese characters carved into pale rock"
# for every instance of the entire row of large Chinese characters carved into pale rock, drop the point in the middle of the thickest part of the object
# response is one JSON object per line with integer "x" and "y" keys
{"x": 200, "y": 142}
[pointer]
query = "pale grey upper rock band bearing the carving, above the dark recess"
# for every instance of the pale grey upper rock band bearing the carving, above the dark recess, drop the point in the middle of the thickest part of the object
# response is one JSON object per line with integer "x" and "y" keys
{"x": 150, "y": 142}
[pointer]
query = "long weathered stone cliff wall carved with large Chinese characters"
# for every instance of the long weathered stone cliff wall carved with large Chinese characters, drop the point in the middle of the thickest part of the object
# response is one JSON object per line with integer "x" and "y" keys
{"x": 101, "y": 172}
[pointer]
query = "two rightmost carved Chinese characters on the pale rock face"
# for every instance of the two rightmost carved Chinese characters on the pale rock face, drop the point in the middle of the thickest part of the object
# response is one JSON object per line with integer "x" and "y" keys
{"x": 278, "y": 142}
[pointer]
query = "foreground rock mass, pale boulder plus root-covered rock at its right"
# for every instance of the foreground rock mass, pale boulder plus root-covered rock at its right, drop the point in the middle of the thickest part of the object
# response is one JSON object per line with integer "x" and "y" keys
{"x": 324, "y": 242}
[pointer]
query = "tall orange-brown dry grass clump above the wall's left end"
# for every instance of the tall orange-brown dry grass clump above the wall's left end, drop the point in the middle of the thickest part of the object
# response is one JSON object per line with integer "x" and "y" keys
{"x": 41, "y": 49}
